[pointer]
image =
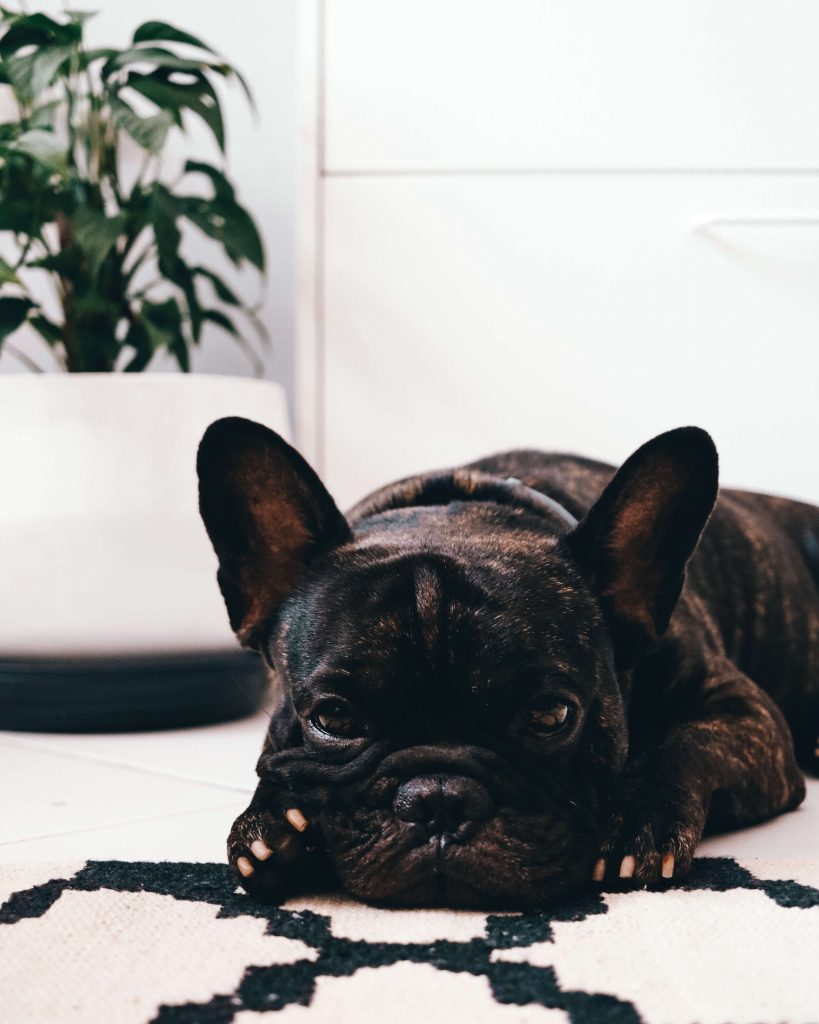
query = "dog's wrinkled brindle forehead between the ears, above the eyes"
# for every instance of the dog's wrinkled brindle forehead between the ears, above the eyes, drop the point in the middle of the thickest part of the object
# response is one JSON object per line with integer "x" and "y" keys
{"x": 409, "y": 606}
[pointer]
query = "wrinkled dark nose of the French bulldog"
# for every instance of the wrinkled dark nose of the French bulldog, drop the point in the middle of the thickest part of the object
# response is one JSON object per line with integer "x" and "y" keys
{"x": 443, "y": 803}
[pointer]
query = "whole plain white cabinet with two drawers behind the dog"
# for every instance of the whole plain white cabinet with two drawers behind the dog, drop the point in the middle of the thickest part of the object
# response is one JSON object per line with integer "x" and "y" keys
{"x": 565, "y": 226}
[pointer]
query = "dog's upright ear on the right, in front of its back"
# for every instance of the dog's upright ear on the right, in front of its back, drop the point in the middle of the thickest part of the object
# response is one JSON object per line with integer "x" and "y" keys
{"x": 635, "y": 542}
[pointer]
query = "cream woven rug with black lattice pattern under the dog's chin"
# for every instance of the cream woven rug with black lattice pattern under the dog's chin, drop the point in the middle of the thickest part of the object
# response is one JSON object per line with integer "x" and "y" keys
{"x": 127, "y": 944}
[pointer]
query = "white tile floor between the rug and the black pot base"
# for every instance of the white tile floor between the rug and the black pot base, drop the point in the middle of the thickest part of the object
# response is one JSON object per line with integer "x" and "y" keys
{"x": 173, "y": 796}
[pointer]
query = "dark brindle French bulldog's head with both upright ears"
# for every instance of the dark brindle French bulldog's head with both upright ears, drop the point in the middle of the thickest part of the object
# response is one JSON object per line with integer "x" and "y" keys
{"x": 451, "y": 711}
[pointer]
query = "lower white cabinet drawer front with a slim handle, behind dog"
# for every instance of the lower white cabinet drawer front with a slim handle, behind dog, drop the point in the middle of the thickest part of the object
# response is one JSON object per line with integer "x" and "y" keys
{"x": 465, "y": 316}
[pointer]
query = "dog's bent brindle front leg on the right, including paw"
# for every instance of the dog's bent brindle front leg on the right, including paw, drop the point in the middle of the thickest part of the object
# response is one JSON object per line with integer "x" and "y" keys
{"x": 727, "y": 761}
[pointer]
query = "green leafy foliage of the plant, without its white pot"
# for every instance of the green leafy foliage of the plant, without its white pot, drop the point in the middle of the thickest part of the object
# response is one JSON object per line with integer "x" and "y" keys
{"x": 106, "y": 231}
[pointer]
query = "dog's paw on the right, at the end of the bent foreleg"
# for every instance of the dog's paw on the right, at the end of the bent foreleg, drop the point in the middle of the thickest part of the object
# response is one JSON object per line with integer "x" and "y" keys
{"x": 650, "y": 841}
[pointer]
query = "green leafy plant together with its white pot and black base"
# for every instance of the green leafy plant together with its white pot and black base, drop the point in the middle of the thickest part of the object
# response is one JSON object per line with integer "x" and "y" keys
{"x": 97, "y": 231}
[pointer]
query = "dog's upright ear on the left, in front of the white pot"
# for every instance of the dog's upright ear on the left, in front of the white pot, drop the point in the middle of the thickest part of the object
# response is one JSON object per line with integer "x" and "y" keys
{"x": 268, "y": 516}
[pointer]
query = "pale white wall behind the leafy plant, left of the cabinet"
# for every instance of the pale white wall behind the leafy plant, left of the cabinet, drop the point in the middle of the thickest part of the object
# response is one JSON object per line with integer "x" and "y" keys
{"x": 260, "y": 38}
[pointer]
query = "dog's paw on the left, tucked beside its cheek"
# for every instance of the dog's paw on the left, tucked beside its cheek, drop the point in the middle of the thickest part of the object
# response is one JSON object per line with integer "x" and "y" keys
{"x": 273, "y": 852}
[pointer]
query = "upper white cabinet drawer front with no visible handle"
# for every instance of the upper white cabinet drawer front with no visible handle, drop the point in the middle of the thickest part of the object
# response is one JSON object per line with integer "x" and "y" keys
{"x": 524, "y": 84}
